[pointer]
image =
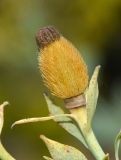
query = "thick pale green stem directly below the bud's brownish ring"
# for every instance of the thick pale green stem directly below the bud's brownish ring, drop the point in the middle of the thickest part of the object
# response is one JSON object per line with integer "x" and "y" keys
{"x": 90, "y": 139}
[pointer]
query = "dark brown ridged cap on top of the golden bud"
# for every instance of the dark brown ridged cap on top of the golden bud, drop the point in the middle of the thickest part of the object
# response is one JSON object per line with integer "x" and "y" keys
{"x": 46, "y": 36}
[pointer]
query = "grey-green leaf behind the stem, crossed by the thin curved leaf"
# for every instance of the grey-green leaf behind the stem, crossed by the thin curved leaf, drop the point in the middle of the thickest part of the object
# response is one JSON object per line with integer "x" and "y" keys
{"x": 65, "y": 122}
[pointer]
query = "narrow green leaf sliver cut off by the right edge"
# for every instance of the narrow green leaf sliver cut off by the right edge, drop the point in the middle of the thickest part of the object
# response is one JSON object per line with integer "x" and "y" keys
{"x": 117, "y": 143}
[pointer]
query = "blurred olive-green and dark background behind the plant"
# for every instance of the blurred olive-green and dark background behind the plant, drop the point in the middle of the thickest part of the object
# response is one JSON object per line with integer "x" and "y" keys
{"x": 94, "y": 27}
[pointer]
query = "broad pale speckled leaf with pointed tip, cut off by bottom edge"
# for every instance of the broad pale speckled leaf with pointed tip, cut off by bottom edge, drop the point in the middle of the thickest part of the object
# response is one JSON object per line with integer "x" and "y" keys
{"x": 62, "y": 152}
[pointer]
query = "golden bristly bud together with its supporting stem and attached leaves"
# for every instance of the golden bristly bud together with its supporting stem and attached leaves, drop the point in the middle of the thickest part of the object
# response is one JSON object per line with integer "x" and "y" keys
{"x": 65, "y": 74}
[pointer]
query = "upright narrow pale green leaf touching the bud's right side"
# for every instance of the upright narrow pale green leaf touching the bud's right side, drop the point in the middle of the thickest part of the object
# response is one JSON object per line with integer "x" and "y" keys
{"x": 92, "y": 96}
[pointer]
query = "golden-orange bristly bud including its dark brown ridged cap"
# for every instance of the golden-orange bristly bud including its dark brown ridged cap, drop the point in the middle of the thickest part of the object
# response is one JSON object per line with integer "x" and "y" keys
{"x": 63, "y": 69}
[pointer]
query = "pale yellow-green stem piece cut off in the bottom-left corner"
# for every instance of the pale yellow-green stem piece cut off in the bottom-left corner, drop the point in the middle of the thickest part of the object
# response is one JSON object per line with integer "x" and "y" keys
{"x": 4, "y": 155}
